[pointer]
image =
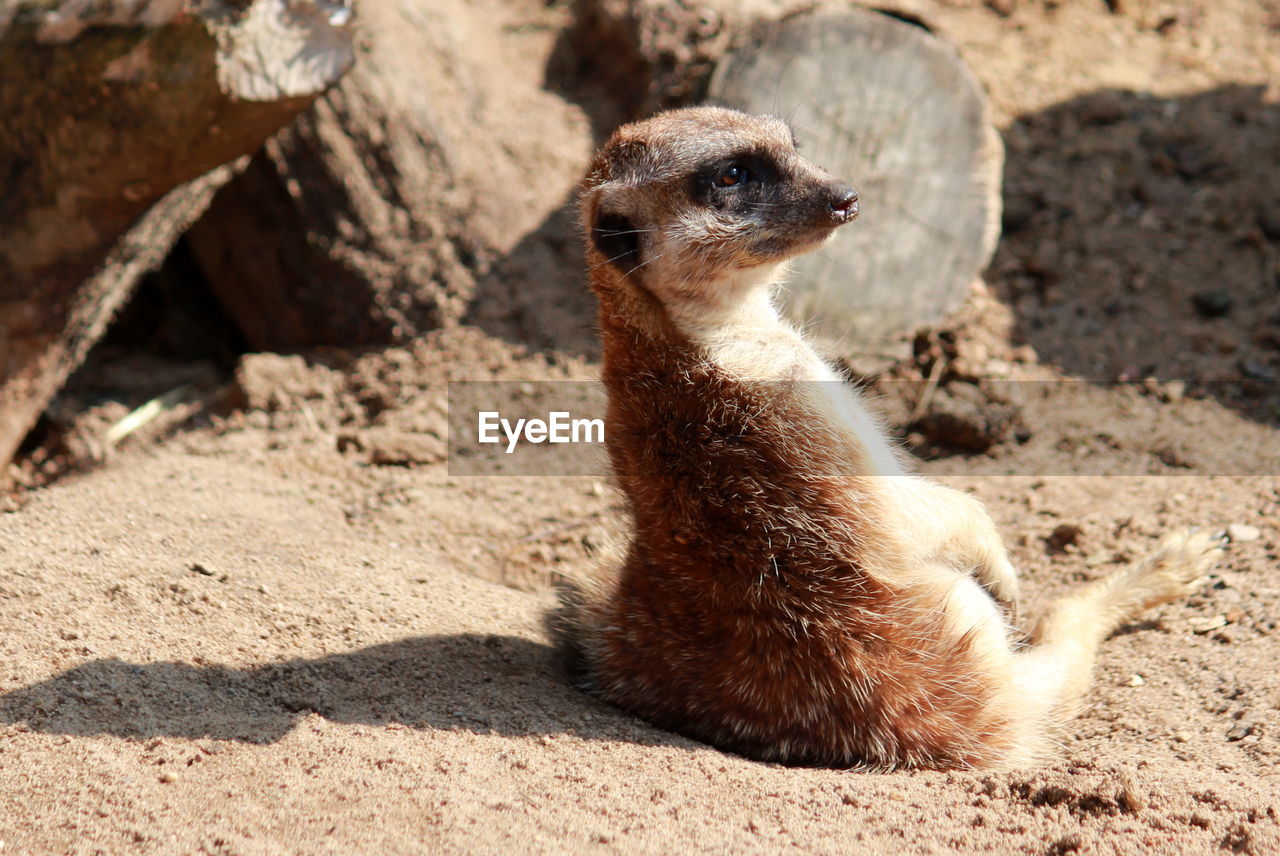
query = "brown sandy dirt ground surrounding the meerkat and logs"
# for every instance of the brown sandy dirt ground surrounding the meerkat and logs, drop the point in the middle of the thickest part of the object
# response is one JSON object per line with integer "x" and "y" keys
{"x": 273, "y": 622}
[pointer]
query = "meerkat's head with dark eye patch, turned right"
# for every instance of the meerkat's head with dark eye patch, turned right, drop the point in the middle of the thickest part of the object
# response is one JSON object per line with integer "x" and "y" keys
{"x": 700, "y": 205}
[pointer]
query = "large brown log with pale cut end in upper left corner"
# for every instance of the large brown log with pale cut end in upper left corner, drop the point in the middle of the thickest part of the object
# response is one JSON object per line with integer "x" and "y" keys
{"x": 104, "y": 109}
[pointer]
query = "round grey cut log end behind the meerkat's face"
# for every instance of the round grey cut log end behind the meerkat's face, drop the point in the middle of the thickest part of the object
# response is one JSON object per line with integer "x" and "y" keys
{"x": 893, "y": 109}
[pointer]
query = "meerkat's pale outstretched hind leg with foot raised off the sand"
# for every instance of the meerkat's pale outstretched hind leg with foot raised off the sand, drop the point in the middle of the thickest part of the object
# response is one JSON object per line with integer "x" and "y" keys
{"x": 1055, "y": 670}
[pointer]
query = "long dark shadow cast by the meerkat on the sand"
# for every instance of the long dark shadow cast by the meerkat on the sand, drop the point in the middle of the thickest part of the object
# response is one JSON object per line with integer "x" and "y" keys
{"x": 477, "y": 683}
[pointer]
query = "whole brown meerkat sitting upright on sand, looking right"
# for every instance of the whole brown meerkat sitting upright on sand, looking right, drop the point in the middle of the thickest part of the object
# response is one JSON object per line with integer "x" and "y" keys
{"x": 792, "y": 593}
